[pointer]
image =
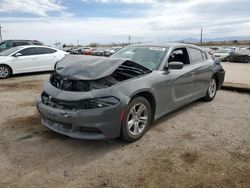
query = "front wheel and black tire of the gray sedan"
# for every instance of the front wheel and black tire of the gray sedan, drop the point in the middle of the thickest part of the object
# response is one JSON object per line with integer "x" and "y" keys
{"x": 128, "y": 134}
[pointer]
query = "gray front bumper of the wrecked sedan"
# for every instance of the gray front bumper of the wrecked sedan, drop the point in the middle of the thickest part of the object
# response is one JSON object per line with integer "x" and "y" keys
{"x": 91, "y": 124}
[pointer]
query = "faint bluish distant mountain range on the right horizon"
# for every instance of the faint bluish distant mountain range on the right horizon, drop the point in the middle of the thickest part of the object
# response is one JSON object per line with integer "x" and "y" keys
{"x": 214, "y": 39}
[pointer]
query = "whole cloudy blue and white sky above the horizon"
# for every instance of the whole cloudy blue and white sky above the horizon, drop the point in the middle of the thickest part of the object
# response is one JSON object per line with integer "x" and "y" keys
{"x": 107, "y": 21}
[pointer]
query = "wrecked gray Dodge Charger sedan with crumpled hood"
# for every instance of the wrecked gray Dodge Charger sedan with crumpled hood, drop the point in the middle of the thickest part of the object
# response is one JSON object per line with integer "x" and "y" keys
{"x": 96, "y": 97}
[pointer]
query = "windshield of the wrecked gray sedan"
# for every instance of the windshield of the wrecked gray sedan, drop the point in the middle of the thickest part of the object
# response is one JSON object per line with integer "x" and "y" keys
{"x": 149, "y": 57}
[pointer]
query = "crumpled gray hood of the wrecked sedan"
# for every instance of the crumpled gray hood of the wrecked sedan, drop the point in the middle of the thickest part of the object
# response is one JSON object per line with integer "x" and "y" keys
{"x": 80, "y": 67}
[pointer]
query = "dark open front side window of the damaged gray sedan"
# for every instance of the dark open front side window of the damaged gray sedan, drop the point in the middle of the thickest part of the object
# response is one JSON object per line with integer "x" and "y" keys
{"x": 180, "y": 55}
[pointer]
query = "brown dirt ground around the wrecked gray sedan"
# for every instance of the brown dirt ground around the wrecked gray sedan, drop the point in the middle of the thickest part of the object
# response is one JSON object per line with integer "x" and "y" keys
{"x": 200, "y": 145}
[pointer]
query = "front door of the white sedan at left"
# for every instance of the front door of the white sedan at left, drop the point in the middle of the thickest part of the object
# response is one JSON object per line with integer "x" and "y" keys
{"x": 26, "y": 62}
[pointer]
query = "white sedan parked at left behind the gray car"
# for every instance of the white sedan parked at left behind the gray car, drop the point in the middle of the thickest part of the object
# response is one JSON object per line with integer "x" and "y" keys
{"x": 25, "y": 59}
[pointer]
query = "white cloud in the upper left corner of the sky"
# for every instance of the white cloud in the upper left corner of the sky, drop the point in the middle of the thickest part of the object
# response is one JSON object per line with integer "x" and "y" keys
{"x": 33, "y": 7}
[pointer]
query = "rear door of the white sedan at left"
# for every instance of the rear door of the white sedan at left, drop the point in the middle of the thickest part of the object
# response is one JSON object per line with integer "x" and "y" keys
{"x": 46, "y": 58}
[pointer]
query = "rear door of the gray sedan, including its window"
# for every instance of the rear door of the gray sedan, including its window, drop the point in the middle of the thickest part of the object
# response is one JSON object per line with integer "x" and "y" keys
{"x": 203, "y": 71}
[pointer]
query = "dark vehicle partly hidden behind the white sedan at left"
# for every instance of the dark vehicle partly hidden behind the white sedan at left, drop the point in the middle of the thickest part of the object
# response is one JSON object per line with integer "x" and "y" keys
{"x": 6, "y": 44}
